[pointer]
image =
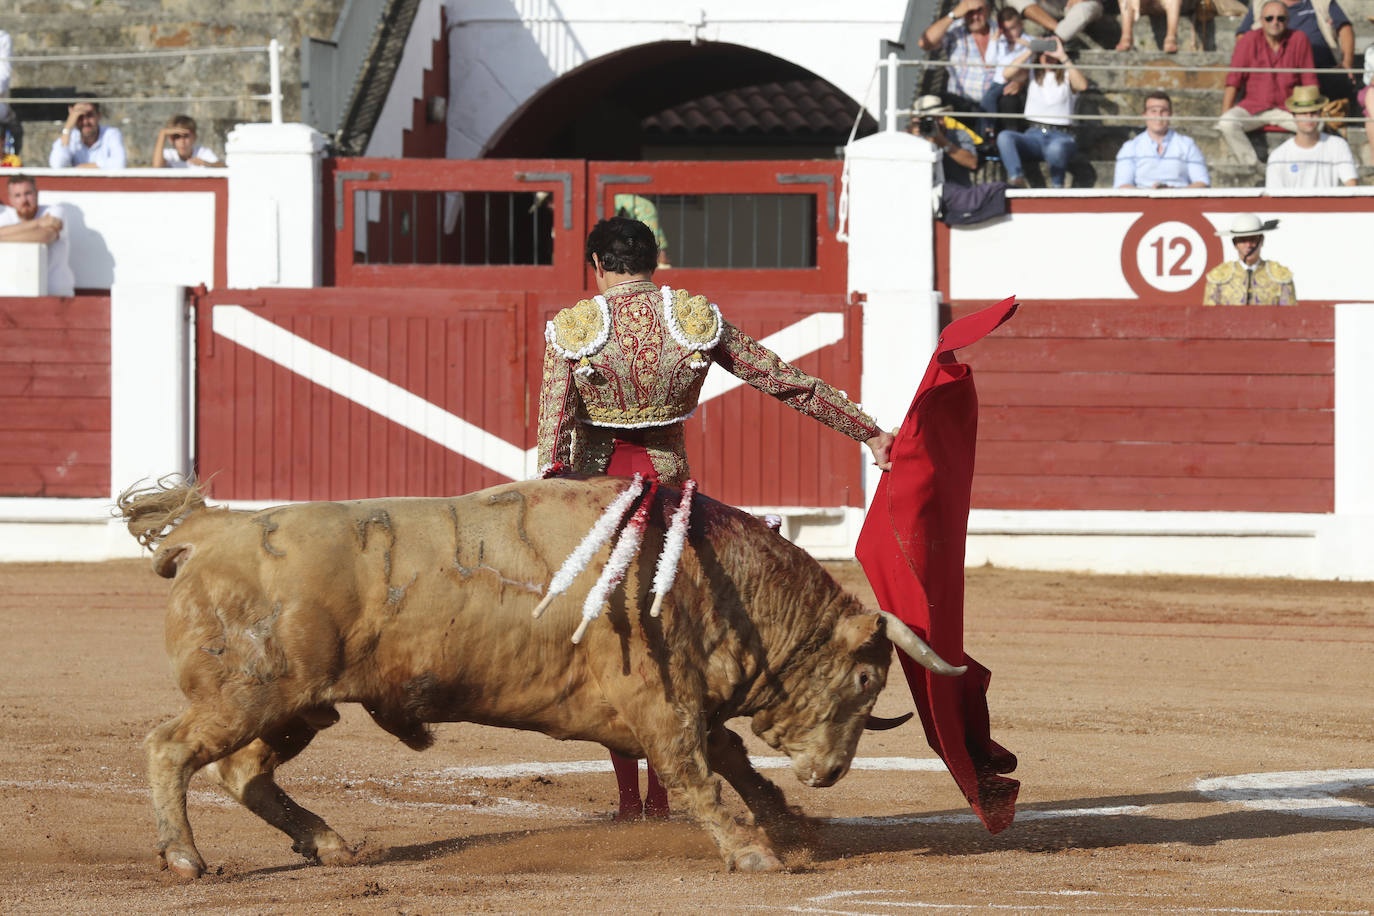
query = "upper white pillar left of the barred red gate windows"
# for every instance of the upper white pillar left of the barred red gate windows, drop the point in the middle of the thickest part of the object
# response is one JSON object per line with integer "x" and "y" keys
{"x": 275, "y": 225}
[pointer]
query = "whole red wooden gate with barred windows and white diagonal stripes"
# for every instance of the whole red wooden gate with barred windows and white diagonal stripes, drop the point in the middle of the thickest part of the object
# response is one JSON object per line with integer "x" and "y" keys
{"x": 418, "y": 373}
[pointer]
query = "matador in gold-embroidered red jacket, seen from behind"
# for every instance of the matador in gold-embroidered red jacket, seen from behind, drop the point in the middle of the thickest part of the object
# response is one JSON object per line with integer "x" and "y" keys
{"x": 624, "y": 370}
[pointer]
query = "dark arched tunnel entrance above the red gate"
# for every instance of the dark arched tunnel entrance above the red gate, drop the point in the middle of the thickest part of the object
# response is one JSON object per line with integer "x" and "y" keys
{"x": 682, "y": 101}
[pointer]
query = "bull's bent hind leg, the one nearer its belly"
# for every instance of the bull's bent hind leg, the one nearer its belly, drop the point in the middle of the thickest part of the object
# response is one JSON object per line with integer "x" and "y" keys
{"x": 248, "y": 775}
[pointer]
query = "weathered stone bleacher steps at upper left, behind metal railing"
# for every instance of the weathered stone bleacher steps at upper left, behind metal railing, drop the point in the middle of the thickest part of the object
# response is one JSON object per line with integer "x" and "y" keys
{"x": 116, "y": 27}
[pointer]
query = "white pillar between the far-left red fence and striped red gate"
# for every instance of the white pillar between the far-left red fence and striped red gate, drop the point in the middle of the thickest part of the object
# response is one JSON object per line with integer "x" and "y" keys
{"x": 149, "y": 385}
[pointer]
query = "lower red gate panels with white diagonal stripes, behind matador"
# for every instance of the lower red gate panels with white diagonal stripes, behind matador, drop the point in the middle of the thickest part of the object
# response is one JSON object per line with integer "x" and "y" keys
{"x": 267, "y": 432}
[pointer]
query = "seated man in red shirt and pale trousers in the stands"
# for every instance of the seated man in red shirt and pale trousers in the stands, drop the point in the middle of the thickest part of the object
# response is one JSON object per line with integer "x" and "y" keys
{"x": 1263, "y": 94}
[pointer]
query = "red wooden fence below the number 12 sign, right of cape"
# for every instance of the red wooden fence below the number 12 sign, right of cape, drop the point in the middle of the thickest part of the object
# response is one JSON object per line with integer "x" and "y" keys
{"x": 1092, "y": 407}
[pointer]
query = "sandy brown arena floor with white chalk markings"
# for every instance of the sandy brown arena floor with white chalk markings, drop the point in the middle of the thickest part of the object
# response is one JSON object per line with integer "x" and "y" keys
{"x": 1120, "y": 697}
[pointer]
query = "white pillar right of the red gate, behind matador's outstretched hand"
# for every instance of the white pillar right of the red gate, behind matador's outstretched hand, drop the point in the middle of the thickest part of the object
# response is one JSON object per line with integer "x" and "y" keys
{"x": 892, "y": 263}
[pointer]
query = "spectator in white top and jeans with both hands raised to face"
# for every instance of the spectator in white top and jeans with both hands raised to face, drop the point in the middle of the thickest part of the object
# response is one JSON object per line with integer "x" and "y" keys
{"x": 1050, "y": 100}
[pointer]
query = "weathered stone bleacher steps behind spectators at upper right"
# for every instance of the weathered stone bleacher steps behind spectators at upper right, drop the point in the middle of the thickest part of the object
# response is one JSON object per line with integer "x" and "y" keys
{"x": 1133, "y": 75}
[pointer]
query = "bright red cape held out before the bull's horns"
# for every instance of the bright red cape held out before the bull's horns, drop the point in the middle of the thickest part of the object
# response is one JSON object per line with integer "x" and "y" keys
{"x": 912, "y": 549}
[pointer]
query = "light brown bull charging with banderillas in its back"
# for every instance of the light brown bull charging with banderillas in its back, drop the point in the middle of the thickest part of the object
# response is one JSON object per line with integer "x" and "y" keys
{"x": 421, "y": 610}
